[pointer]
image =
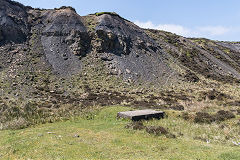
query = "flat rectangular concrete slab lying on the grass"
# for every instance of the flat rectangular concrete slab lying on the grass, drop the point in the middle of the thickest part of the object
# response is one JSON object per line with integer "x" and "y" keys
{"x": 141, "y": 114}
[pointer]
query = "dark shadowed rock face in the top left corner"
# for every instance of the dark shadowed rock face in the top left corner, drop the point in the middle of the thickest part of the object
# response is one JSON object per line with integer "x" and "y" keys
{"x": 13, "y": 22}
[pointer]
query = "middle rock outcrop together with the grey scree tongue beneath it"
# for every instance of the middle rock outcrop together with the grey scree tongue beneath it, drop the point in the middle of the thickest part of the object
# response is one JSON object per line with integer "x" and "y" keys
{"x": 63, "y": 36}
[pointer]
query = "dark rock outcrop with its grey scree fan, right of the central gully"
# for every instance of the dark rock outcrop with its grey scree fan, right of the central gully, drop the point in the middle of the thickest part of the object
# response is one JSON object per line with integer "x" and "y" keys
{"x": 133, "y": 53}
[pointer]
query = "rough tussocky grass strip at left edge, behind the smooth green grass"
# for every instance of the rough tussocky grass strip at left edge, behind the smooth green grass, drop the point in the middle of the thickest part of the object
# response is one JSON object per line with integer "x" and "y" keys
{"x": 18, "y": 115}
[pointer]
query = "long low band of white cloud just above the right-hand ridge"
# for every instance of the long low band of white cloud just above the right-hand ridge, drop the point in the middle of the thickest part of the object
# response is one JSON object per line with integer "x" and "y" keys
{"x": 202, "y": 31}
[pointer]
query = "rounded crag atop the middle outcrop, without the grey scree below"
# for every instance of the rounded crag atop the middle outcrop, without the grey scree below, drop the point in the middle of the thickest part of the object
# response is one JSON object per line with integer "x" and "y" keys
{"x": 67, "y": 24}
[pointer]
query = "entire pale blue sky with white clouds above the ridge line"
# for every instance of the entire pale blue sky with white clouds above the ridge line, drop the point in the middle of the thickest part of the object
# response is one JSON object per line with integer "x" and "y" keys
{"x": 214, "y": 19}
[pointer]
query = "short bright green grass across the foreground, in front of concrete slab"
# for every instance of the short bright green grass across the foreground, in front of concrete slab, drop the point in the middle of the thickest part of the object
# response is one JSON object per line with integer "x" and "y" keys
{"x": 102, "y": 136}
